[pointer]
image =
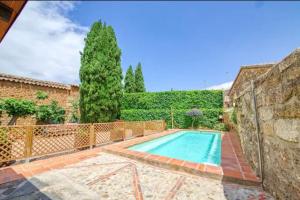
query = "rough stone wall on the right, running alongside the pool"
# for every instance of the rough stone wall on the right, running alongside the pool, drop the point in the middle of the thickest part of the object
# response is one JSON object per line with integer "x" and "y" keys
{"x": 277, "y": 95}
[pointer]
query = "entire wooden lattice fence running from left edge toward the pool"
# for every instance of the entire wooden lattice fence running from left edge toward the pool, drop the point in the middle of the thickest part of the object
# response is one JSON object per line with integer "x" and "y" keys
{"x": 23, "y": 142}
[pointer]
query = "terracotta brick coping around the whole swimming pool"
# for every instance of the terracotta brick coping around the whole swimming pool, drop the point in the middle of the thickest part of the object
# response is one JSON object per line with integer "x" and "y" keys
{"x": 233, "y": 166}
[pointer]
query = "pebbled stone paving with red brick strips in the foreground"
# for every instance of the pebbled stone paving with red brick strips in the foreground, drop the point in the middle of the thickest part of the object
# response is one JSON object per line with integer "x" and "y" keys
{"x": 107, "y": 176}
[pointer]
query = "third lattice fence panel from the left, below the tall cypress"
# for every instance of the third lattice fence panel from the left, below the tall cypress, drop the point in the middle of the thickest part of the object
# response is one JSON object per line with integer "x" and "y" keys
{"x": 102, "y": 132}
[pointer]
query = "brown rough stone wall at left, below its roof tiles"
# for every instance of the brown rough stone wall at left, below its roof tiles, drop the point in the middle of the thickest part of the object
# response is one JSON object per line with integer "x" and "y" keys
{"x": 64, "y": 97}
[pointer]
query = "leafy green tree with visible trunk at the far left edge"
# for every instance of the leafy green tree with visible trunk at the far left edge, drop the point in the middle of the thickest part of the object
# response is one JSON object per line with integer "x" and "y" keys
{"x": 16, "y": 108}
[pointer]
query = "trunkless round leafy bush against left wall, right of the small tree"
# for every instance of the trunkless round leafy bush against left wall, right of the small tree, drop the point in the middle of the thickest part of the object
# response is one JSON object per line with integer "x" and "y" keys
{"x": 50, "y": 114}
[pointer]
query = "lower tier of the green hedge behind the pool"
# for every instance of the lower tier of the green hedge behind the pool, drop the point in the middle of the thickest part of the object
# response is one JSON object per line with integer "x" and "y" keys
{"x": 210, "y": 118}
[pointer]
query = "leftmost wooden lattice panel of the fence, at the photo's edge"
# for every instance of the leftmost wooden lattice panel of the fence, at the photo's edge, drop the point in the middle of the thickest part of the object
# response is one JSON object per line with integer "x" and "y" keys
{"x": 12, "y": 143}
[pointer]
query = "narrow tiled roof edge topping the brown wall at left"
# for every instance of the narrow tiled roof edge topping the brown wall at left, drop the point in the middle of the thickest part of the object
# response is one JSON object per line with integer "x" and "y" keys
{"x": 20, "y": 79}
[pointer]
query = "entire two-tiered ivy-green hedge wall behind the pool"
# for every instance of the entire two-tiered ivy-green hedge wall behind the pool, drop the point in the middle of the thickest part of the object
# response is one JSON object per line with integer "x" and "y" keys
{"x": 158, "y": 105}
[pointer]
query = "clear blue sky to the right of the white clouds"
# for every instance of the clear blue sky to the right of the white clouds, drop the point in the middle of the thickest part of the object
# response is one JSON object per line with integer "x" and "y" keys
{"x": 193, "y": 45}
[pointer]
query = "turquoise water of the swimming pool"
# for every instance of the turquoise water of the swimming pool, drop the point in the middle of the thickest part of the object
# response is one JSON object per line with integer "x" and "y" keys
{"x": 194, "y": 146}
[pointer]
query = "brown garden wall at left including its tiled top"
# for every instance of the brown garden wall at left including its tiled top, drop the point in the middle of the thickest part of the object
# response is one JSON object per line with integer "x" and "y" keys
{"x": 25, "y": 88}
